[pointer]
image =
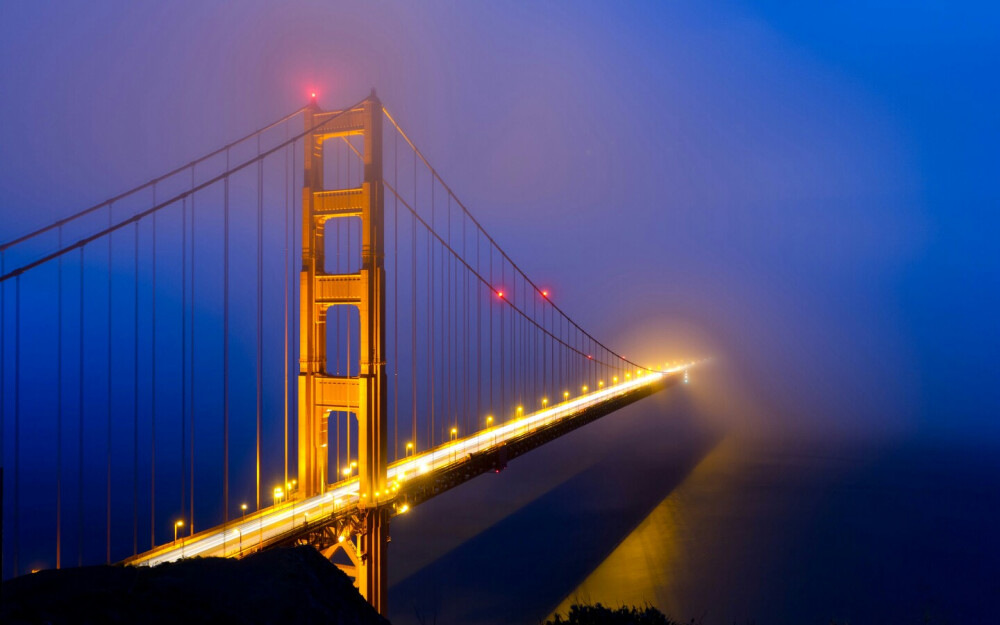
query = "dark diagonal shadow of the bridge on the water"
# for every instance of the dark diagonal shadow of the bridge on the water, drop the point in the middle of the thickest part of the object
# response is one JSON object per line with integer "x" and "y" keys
{"x": 517, "y": 566}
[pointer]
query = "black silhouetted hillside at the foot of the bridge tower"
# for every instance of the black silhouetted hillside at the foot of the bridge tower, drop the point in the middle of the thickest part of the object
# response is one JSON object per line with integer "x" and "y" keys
{"x": 295, "y": 585}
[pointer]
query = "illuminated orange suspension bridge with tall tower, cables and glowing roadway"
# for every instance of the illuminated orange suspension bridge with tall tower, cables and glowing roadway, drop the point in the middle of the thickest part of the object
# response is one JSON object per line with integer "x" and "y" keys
{"x": 286, "y": 341}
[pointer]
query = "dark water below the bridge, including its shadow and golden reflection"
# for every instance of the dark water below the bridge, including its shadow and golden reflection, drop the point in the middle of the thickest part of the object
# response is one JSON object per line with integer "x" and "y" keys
{"x": 721, "y": 524}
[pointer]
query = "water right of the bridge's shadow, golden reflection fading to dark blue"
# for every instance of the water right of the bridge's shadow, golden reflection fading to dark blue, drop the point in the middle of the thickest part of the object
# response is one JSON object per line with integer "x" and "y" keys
{"x": 797, "y": 532}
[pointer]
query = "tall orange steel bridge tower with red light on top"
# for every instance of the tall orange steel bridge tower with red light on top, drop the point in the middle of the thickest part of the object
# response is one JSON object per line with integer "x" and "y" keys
{"x": 363, "y": 396}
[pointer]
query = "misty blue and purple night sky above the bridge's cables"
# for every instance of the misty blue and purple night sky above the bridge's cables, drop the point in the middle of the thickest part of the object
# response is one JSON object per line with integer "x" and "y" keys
{"x": 807, "y": 194}
